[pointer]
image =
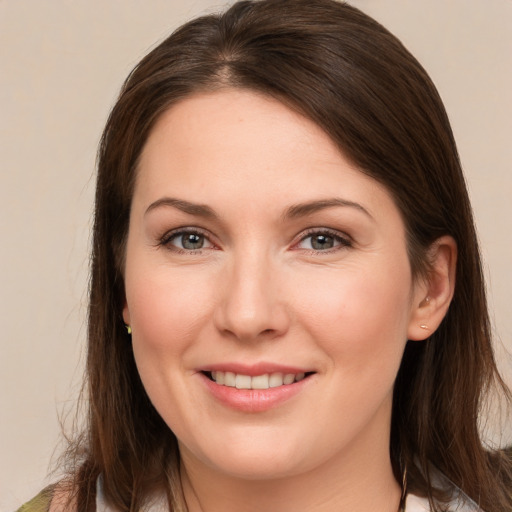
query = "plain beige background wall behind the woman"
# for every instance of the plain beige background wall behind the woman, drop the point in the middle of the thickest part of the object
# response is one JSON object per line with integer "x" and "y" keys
{"x": 62, "y": 63}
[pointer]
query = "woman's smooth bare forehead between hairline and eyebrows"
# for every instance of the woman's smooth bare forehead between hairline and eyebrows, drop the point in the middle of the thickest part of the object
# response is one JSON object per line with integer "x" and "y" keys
{"x": 234, "y": 146}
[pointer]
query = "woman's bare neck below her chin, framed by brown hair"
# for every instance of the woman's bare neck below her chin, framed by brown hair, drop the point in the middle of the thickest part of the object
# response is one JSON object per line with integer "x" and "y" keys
{"x": 357, "y": 480}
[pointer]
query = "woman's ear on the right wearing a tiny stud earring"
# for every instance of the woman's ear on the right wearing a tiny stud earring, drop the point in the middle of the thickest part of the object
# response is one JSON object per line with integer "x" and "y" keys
{"x": 434, "y": 293}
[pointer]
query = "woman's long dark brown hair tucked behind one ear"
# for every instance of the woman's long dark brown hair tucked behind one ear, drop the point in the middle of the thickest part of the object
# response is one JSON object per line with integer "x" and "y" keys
{"x": 348, "y": 74}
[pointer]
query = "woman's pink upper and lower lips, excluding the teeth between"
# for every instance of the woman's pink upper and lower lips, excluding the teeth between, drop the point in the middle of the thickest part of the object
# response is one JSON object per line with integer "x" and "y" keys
{"x": 253, "y": 400}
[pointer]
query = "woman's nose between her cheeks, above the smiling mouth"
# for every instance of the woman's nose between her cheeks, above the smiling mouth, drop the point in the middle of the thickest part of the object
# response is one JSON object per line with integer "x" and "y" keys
{"x": 252, "y": 304}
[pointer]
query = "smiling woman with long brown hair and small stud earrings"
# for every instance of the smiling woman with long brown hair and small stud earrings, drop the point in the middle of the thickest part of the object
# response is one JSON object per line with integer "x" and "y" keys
{"x": 287, "y": 309}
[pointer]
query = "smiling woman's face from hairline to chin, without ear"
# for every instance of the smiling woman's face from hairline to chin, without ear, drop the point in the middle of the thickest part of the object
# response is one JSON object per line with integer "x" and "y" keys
{"x": 267, "y": 286}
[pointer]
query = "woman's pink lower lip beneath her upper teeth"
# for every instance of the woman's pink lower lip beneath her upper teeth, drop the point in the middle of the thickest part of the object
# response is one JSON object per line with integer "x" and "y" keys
{"x": 253, "y": 400}
